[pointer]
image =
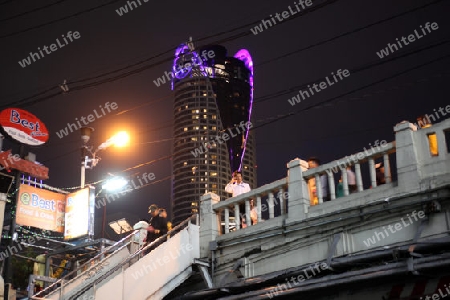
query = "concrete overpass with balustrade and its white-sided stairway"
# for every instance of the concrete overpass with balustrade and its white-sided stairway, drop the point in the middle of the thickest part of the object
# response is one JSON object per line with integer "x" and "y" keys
{"x": 371, "y": 244}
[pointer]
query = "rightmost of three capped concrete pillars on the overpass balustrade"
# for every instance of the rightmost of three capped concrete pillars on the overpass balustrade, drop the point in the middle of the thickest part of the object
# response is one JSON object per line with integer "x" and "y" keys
{"x": 407, "y": 154}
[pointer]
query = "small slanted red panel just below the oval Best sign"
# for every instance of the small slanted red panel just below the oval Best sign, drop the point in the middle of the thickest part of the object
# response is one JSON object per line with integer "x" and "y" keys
{"x": 9, "y": 161}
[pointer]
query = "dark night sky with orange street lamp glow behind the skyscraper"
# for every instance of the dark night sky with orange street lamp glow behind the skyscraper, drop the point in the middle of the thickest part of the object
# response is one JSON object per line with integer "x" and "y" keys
{"x": 117, "y": 58}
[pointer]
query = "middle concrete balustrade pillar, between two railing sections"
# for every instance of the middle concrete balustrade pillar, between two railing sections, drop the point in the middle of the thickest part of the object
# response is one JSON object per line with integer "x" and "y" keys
{"x": 298, "y": 201}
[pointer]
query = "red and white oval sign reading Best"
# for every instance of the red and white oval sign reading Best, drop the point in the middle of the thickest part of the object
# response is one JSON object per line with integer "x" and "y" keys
{"x": 23, "y": 126}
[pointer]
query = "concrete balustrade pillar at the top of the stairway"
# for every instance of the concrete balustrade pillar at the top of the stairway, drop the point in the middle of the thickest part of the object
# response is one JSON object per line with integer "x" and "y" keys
{"x": 210, "y": 222}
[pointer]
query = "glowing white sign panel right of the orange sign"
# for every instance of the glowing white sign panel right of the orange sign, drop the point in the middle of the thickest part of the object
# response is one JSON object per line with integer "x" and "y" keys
{"x": 79, "y": 215}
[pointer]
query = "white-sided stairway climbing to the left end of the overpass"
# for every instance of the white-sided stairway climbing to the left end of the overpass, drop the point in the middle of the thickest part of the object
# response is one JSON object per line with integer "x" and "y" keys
{"x": 122, "y": 275}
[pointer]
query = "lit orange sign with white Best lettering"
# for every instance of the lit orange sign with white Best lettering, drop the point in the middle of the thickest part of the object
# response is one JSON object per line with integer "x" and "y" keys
{"x": 40, "y": 208}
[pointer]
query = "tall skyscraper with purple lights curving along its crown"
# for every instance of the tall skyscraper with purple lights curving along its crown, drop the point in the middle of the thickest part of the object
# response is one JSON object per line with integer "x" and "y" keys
{"x": 212, "y": 108}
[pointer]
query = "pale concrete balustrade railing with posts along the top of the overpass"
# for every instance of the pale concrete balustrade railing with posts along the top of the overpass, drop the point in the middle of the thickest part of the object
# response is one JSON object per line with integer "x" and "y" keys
{"x": 413, "y": 163}
